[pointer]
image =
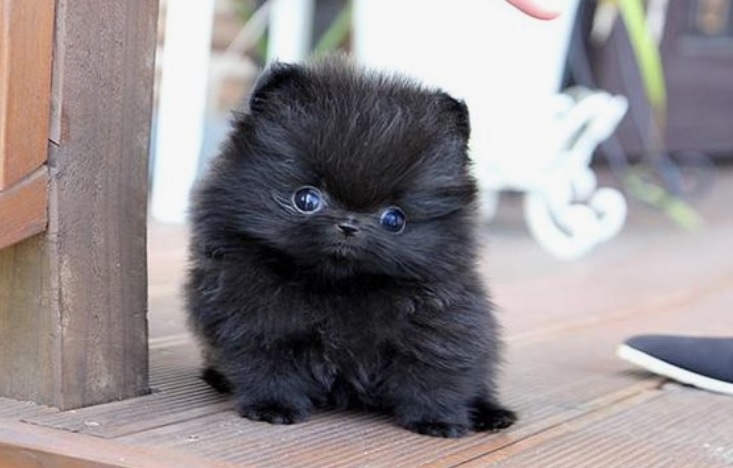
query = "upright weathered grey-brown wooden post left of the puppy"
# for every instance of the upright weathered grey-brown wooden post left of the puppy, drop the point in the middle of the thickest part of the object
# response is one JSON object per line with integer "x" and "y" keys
{"x": 98, "y": 197}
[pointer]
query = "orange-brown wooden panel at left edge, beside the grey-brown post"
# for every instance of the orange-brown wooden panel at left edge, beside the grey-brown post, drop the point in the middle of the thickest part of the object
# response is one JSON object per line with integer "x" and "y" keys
{"x": 26, "y": 47}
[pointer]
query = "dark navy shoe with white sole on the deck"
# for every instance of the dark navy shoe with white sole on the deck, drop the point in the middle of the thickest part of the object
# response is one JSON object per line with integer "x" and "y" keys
{"x": 702, "y": 362}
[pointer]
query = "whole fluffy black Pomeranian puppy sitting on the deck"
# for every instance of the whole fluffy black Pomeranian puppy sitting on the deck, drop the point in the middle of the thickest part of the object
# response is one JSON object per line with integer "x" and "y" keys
{"x": 333, "y": 255}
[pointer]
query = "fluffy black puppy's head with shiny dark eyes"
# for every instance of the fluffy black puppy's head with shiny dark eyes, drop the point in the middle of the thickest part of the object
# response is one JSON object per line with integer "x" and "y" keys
{"x": 353, "y": 173}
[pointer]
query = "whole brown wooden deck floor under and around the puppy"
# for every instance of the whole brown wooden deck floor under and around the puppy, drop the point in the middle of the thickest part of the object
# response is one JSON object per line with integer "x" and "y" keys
{"x": 579, "y": 405}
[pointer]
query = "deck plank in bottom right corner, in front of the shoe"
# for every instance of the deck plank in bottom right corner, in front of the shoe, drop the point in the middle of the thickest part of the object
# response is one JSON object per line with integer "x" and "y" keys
{"x": 677, "y": 427}
